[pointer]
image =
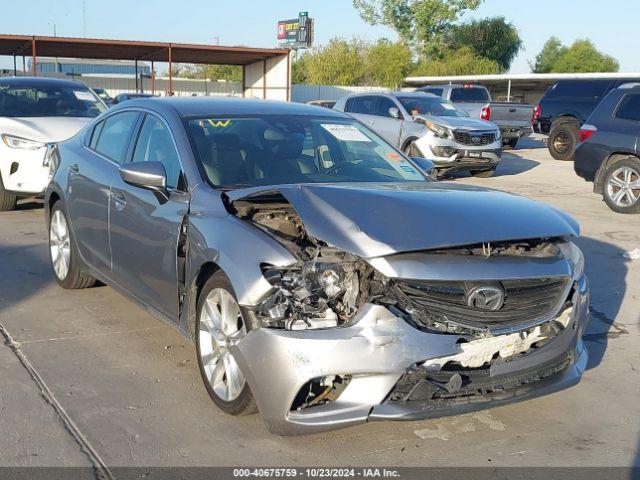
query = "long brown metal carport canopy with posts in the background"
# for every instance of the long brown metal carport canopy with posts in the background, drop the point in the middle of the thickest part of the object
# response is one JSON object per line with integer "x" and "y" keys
{"x": 270, "y": 58}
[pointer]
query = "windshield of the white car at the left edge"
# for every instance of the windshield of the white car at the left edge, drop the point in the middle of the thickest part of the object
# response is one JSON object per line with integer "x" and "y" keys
{"x": 48, "y": 101}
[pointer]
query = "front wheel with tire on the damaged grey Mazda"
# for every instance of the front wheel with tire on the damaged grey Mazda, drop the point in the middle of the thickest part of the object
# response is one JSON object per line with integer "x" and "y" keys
{"x": 220, "y": 324}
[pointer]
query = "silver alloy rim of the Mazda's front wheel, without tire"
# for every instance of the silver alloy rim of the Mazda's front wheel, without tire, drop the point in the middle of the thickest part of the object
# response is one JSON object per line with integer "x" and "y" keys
{"x": 221, "y": 326}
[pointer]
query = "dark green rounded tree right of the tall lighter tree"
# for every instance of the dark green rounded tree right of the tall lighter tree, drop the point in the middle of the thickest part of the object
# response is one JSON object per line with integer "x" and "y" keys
{"x": 492, "y": 38}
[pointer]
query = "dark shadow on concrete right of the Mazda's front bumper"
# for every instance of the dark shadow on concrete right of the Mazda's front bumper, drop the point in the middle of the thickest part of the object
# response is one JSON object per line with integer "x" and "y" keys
{"x": 606, "y": 269}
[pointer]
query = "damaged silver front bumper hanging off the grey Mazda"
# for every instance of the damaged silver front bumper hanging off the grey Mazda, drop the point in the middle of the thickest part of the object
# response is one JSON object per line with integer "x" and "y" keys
{"x": 383, "y": 361}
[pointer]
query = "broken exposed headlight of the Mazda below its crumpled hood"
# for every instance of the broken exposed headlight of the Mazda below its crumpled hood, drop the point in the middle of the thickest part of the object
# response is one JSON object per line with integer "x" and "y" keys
{"x": 318, "y": 293}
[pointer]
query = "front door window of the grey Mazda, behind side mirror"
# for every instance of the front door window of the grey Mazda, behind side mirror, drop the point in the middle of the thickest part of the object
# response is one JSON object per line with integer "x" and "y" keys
{"x": 155, "y": 144}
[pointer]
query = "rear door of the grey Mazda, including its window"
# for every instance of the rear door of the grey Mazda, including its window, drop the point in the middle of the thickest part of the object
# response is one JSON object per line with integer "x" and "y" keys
{"x": 89, "y": 180}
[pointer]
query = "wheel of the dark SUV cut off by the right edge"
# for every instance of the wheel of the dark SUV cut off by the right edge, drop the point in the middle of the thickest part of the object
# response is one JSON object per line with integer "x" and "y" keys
{"x": 622, "y": 186}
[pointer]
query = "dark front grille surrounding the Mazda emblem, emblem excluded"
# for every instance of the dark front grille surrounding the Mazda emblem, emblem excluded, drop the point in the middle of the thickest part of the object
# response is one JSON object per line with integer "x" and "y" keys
{"x": 525, "y": 301}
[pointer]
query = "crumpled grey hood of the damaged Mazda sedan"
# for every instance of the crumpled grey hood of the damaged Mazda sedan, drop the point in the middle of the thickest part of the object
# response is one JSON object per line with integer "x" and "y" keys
{"x": 373, "y": 220}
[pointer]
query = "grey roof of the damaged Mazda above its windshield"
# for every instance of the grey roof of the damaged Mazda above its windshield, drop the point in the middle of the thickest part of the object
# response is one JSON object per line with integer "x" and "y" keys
{"x": 206, "y": 106}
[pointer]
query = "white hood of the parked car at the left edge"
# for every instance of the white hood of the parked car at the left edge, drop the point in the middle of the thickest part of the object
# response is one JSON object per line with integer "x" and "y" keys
{"x": 43, "y": 129}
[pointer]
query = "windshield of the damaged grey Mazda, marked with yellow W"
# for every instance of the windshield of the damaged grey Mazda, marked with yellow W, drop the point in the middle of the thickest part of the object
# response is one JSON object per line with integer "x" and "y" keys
{"x": 239, "y": 152}
